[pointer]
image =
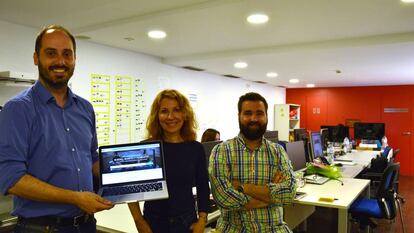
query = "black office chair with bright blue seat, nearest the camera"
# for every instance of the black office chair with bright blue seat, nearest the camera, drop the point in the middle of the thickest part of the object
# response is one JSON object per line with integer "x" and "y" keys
{"x": 385, "y": 204}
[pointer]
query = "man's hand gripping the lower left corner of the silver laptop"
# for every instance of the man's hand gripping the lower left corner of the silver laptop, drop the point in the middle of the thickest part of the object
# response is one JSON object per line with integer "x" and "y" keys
{"x": 91, "y": 202}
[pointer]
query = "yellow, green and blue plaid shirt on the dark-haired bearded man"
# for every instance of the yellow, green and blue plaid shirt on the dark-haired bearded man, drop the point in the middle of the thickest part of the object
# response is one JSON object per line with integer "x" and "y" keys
{"x": 232, "y": 160}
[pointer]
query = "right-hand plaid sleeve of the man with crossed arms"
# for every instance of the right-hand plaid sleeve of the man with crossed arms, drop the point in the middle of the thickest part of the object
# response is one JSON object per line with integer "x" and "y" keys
{"x": 283, "y": 193}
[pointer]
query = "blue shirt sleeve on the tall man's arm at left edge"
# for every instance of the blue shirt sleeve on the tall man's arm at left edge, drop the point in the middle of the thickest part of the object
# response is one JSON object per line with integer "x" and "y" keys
{"x": 14, "y": 137}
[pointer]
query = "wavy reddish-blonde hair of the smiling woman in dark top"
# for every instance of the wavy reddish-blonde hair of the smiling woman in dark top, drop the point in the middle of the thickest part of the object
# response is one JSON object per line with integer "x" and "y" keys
{"x": 188, "y": 130}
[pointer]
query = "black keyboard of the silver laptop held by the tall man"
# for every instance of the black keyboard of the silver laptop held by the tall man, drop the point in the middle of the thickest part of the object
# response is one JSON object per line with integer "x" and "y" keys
{"x": 136, "y": 188}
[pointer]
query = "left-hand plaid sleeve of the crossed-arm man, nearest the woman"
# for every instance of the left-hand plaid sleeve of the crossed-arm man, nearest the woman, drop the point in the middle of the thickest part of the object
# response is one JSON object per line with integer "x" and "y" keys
{"x": 219, "y": 169}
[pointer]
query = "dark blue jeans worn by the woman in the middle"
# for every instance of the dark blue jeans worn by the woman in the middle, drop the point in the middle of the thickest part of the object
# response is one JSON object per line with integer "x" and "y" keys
{"x": 177, "y": 224}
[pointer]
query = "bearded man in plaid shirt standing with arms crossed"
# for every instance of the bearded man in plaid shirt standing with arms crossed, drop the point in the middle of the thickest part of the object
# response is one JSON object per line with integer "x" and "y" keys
{"x": 251, "y": 177}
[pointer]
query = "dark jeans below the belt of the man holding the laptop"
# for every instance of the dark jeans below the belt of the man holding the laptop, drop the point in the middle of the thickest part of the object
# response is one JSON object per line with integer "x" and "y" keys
{"x": 89, "y": 227}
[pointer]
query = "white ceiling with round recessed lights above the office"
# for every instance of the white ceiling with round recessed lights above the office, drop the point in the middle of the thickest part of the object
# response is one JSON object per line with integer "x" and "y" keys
{"x": 370, "y": 41}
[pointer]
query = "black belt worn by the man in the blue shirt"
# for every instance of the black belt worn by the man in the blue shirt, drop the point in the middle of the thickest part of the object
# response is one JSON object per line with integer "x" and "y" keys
{"x": 57, "y": 221}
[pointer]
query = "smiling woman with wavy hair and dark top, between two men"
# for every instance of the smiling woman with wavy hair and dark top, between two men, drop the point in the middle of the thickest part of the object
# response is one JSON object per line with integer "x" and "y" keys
{"x": 172, "y": 120}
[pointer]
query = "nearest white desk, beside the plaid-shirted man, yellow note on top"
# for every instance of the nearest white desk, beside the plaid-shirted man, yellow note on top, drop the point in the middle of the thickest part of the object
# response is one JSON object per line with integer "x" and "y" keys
{"x": 345, "y": 195}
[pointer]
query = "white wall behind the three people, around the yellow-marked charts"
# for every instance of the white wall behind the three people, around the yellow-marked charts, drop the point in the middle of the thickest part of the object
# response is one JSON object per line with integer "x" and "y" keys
{"x": 217, "y": 95}
